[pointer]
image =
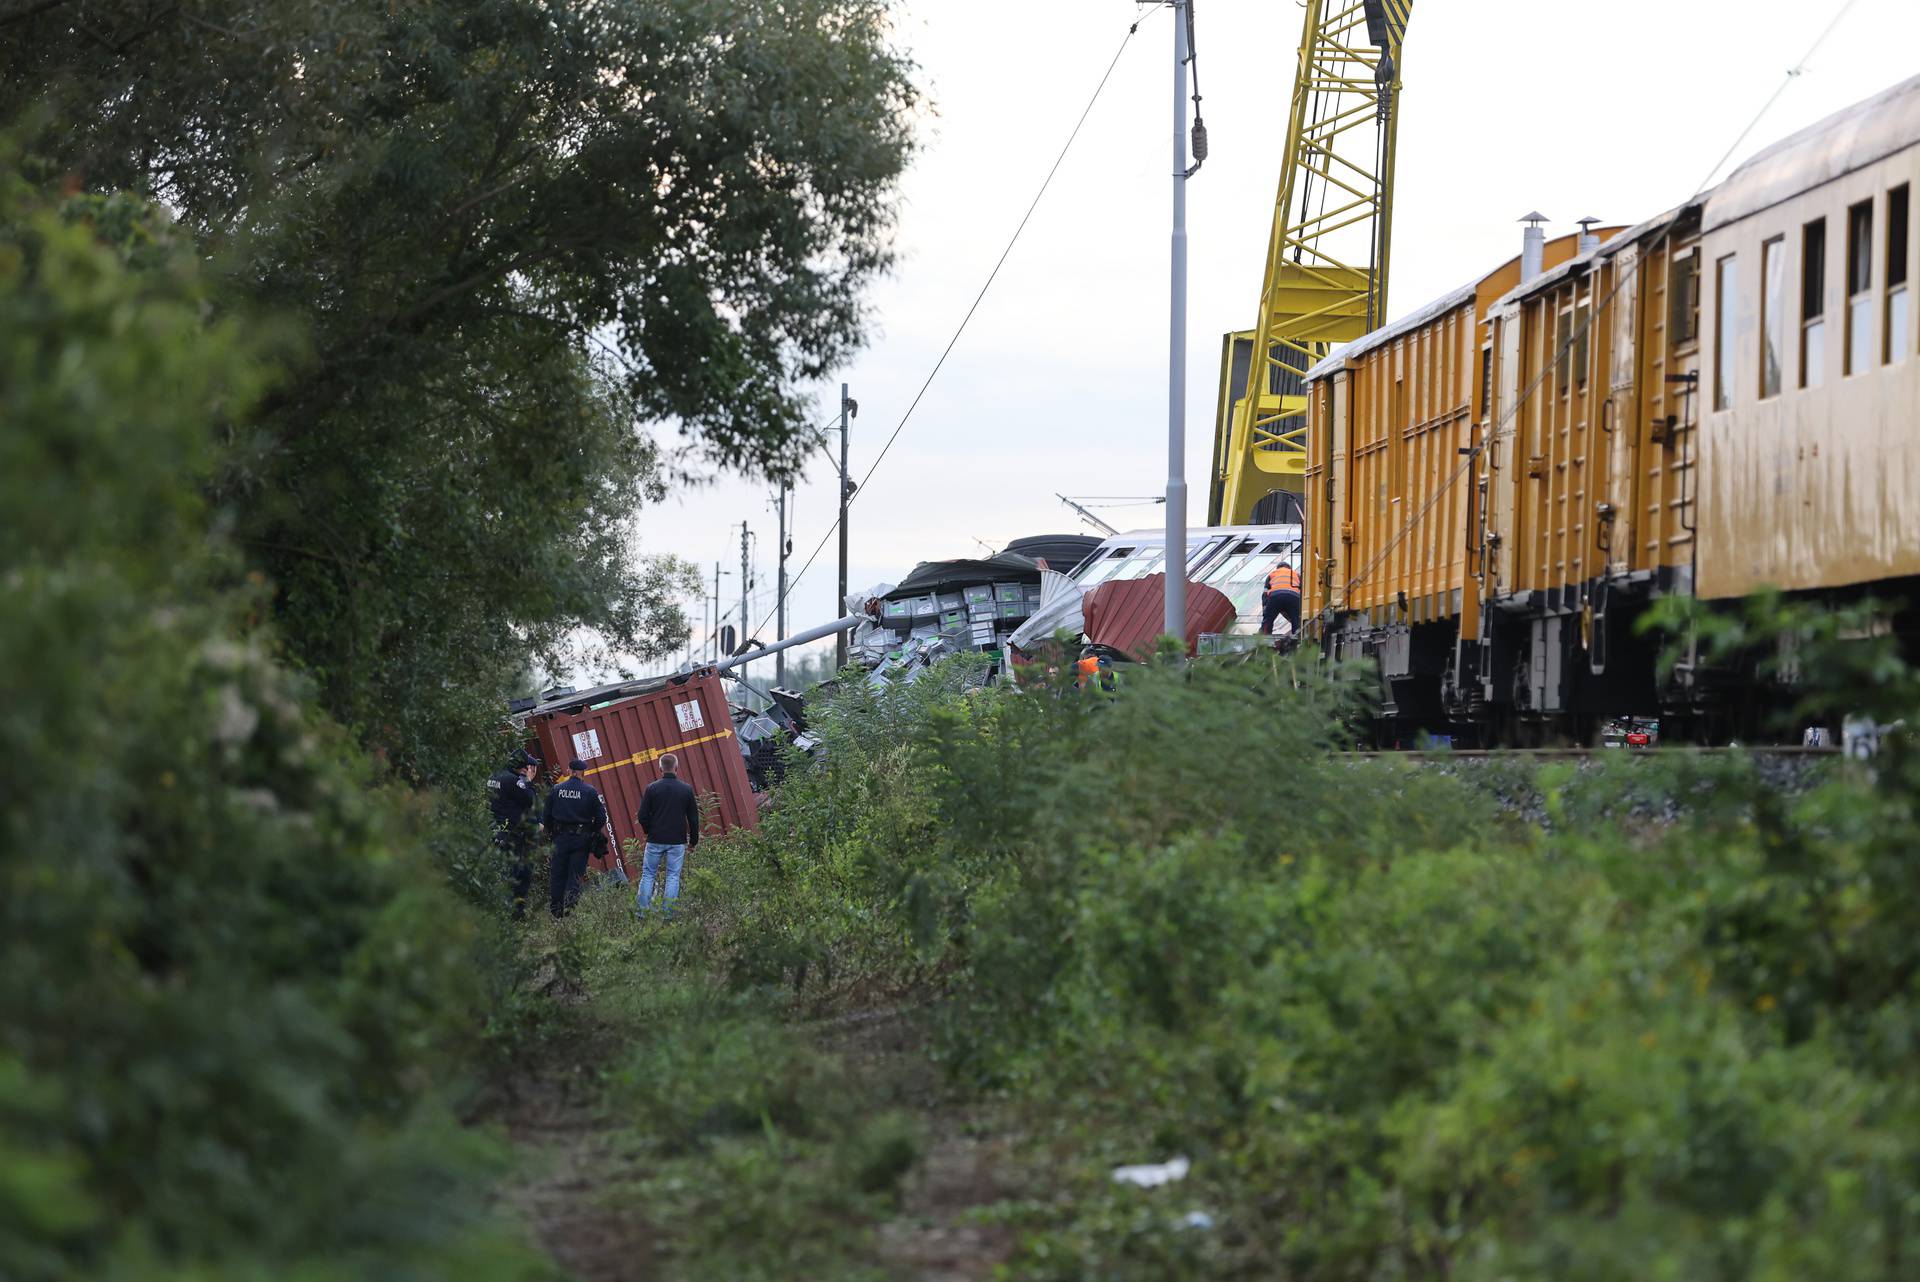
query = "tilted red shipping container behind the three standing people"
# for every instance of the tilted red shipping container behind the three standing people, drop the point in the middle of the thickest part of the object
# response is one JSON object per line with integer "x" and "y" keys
{"x": 625, "y": 738}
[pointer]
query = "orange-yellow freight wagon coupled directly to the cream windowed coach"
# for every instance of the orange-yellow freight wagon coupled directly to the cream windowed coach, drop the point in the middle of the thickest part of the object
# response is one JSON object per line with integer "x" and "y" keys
{"x": 1577, "y": 467}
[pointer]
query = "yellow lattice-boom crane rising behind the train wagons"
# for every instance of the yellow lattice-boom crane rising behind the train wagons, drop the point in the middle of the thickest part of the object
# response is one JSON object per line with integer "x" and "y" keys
{"x": 1326, "y": 279}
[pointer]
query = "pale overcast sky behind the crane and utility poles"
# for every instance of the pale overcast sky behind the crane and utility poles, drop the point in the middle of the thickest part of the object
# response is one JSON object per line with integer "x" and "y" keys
{"x": 1059, "y": 383}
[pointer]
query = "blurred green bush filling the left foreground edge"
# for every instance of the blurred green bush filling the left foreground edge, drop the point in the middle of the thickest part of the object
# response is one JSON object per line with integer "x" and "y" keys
{"x": 229, "y": 984}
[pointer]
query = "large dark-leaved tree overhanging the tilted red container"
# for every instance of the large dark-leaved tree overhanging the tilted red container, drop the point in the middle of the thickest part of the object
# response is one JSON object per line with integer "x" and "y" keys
{"x": 510, "y": 231}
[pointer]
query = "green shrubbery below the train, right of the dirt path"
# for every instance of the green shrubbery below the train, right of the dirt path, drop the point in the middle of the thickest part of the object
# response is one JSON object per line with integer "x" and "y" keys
{"x": 1399, "y": 1030}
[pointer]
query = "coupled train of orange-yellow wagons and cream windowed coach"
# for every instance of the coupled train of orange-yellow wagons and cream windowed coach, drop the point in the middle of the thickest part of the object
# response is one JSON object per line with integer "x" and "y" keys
{"x": 1719, "y": 400}
